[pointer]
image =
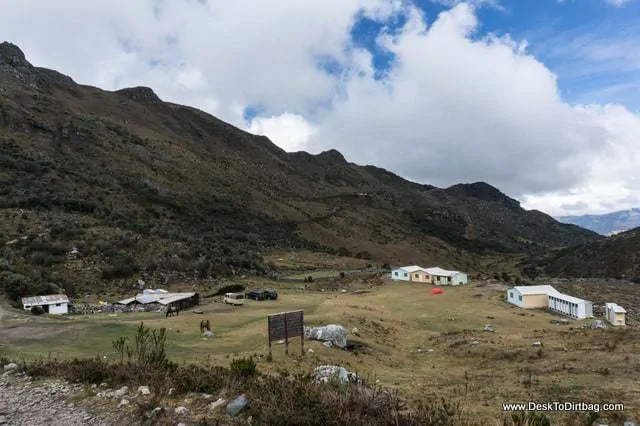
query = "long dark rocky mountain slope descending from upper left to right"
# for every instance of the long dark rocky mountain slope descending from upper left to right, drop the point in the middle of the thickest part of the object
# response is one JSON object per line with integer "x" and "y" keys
{"x": 146, "y": 188}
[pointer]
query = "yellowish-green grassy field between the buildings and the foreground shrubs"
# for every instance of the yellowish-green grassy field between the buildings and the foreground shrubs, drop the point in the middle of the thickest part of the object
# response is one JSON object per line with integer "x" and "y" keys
{"x": 426, "y": 346}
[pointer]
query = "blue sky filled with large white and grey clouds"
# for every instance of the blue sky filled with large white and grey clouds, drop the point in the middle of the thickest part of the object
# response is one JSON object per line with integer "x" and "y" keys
{"x": 538, "y": 98}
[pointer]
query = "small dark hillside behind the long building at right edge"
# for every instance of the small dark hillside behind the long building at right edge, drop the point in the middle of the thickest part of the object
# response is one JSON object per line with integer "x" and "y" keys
{"x": 617, "y": 256}
